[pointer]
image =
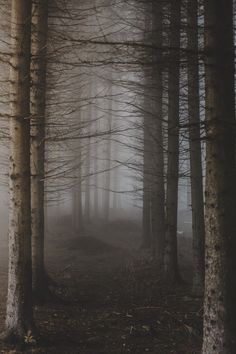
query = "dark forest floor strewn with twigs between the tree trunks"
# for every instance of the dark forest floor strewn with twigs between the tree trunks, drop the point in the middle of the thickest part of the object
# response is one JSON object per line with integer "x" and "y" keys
{"x": 111, "y": 299}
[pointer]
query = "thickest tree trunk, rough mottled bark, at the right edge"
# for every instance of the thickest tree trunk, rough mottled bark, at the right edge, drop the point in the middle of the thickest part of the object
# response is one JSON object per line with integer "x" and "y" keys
{"x": 220, "y": 268}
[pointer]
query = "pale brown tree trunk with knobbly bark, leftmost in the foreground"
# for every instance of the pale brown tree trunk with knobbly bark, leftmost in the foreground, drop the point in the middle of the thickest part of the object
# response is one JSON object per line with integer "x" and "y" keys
{"x": 19, "y": 316}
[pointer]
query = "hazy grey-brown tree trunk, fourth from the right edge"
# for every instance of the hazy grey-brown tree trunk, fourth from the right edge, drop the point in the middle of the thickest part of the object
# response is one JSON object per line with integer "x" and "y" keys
{"x": 157, "y": 173}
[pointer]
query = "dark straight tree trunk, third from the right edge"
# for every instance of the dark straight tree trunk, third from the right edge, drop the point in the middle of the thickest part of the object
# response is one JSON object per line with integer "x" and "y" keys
{"x": 171, "y": 253}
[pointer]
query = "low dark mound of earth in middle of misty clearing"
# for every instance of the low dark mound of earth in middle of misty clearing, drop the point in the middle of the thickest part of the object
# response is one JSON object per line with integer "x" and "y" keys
{"x": 90, "y": 245}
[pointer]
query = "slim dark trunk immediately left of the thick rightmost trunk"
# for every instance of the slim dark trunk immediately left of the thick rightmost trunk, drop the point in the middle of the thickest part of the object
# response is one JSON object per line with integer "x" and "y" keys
{"x": 198, "y": 226}
